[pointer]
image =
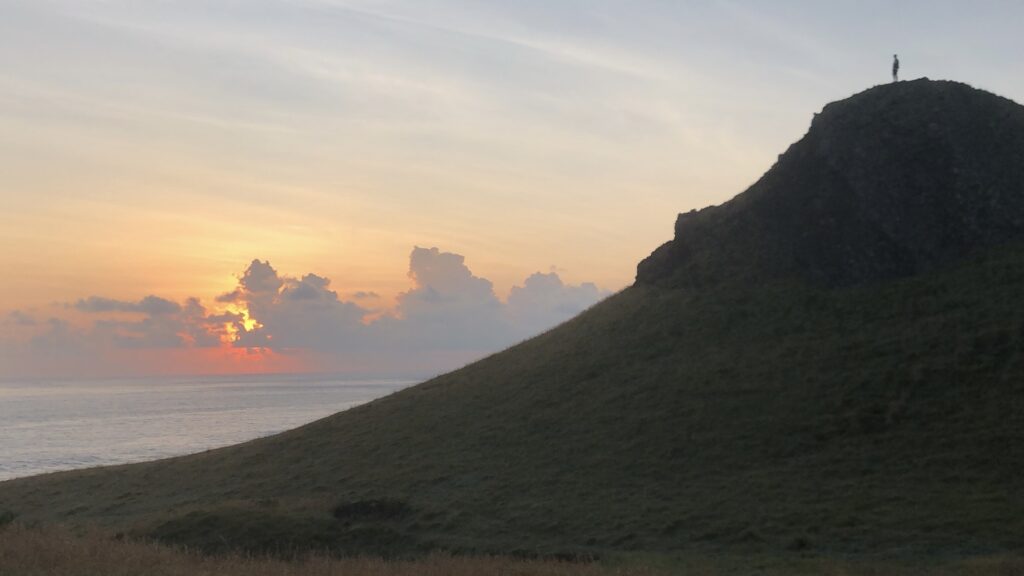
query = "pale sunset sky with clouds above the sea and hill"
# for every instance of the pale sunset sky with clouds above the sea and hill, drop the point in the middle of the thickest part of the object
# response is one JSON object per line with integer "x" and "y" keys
{"x": 374, "y": 187}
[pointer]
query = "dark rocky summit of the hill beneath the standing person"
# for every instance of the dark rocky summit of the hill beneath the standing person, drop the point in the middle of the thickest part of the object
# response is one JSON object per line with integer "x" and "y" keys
{"x": 889, "y": 183}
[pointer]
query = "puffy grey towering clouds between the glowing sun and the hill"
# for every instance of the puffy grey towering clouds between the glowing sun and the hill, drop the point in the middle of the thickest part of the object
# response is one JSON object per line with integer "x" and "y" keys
{"x": 448, "y": 309}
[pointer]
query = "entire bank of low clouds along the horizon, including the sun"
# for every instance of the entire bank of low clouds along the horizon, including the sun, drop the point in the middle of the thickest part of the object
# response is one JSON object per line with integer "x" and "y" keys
{"x": 448, "y": 317}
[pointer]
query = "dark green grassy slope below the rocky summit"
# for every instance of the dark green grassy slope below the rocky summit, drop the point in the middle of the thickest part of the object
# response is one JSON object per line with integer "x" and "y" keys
{"x": 778, "y": 421}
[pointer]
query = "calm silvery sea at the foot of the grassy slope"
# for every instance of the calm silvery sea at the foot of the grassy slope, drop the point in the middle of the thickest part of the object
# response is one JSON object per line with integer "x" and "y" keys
{"x": 48, "y": 427}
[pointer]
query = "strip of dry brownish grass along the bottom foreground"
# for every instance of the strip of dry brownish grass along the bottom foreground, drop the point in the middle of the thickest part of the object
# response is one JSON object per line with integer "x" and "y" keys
{"x": 55, "y": 552}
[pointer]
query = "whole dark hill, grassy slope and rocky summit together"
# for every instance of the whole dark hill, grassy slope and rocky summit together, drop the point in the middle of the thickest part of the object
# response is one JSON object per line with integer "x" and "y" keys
{"x": 829, "y": 364}
